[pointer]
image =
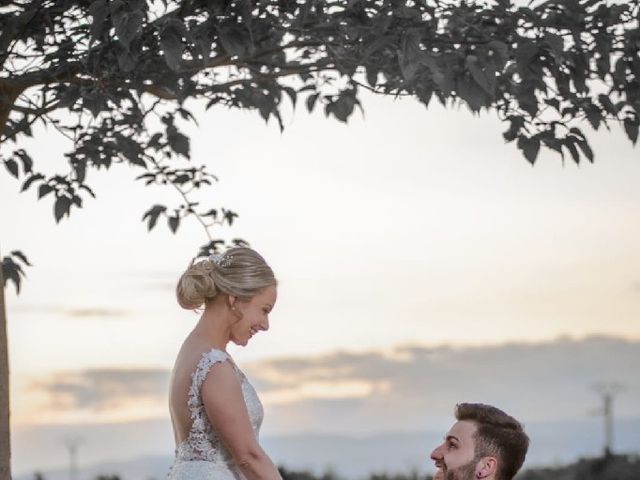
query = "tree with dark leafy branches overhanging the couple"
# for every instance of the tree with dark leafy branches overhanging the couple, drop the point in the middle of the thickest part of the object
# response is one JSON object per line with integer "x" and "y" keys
{"x": 115, "y": 76}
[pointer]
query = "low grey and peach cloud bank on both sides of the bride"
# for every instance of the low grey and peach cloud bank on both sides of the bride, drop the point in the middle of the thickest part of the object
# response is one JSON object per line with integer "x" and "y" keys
{"x": 408, "y": 388}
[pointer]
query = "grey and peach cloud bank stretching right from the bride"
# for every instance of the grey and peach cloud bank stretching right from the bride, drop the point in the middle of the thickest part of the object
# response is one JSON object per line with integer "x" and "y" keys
{"x": 414, "y": 386}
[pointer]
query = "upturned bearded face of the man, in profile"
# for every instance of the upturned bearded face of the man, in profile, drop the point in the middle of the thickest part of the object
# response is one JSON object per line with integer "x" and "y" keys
{"x": 455, "y": 457}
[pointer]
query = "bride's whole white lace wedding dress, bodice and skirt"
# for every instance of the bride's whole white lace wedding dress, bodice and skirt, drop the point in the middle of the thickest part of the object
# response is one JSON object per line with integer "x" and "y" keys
{"x": 202, "y": 456}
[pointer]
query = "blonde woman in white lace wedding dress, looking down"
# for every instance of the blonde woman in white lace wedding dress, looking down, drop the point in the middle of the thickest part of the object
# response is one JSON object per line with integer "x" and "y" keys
{"x": 215, "y": 412}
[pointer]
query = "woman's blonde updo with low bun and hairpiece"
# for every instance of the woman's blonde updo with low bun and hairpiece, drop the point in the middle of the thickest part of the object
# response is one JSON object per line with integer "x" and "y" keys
{"x": 240, "y": 272}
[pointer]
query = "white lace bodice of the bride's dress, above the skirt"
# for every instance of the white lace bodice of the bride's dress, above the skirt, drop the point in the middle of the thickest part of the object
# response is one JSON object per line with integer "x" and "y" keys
{"x": 203, "y": 442}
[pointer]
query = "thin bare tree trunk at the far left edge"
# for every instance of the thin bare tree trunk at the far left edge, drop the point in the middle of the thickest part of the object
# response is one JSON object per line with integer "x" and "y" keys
{"x": 5, "y": 436}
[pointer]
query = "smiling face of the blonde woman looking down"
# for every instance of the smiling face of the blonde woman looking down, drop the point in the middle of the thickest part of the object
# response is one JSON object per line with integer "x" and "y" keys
{"x": 254, "y": 315}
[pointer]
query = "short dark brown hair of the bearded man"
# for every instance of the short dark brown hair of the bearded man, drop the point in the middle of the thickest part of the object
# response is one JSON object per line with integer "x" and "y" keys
{"x": 498, "y": 434}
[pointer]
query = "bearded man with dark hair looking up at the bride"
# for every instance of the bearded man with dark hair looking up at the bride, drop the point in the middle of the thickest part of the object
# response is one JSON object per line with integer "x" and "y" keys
{"x": 484, "y": 444}
